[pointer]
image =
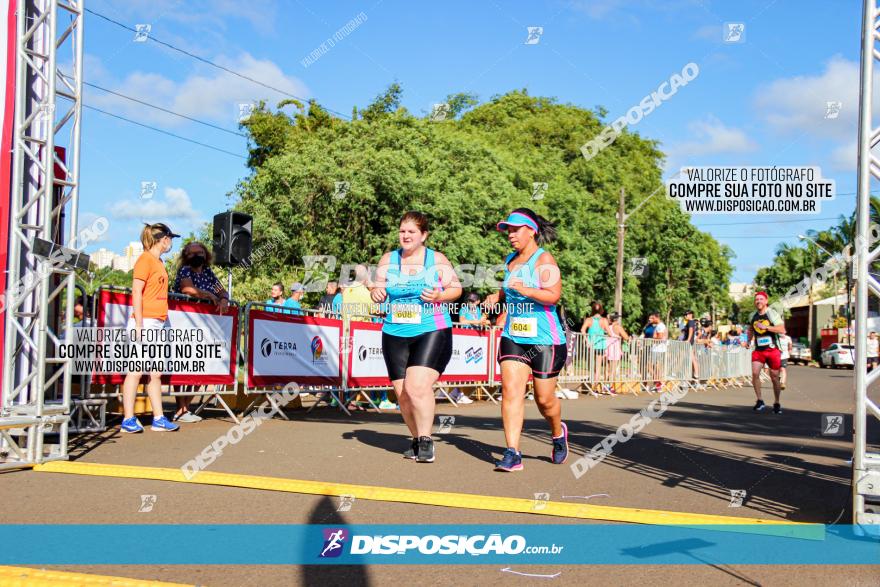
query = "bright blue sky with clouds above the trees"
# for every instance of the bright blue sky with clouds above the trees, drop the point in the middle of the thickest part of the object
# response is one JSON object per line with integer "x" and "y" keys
{"x": 759, "y": 102}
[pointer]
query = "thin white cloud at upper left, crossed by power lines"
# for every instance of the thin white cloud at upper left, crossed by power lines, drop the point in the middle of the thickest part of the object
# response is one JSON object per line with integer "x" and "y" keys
{"x": 212, "y": 94}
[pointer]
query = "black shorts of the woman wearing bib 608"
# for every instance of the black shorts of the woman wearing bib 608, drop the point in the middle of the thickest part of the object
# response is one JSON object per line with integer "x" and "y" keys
{"x": 431, "y": 349}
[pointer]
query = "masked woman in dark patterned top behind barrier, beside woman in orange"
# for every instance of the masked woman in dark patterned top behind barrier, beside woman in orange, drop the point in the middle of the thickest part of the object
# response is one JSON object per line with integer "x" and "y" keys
{"x": 196, "y": 278}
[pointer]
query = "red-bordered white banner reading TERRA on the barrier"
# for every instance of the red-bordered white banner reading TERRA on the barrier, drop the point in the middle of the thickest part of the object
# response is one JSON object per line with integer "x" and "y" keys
{"x": 284, "y": 348}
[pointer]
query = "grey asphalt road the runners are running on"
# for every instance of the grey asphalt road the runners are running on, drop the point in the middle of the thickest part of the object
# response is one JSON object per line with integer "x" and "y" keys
{"x": 689, "y": 460}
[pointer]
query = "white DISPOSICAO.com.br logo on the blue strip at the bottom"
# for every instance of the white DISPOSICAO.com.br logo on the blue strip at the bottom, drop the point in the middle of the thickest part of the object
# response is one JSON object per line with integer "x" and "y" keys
{"x": 452, "y": 544}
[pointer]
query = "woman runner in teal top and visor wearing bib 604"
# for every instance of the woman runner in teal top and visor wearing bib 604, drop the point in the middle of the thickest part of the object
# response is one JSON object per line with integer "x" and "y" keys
{"x": 533, "y": 341}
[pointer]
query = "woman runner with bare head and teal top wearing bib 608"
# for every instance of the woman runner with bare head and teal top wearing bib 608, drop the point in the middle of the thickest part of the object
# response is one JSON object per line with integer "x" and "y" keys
{"x": 415, "y": 284}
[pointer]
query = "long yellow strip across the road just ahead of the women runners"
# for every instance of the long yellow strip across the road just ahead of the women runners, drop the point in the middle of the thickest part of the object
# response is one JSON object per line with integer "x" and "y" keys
{"x": 442, "y": 498}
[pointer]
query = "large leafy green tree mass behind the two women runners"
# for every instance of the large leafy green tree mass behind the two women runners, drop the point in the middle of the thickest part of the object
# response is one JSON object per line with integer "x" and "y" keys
{"x": 467, "y": 173}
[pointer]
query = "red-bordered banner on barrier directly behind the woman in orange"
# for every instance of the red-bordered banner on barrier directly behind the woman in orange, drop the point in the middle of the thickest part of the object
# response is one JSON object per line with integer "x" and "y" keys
{"x": 114, "y": 309}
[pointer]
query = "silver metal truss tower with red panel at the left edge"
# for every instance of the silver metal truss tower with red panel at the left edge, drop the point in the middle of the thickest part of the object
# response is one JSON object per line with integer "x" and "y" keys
{"x": 42, "y": 47}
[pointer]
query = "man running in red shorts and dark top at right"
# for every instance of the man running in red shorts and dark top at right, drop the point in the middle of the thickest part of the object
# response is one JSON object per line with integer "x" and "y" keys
{"x": 765, "y": 326}
